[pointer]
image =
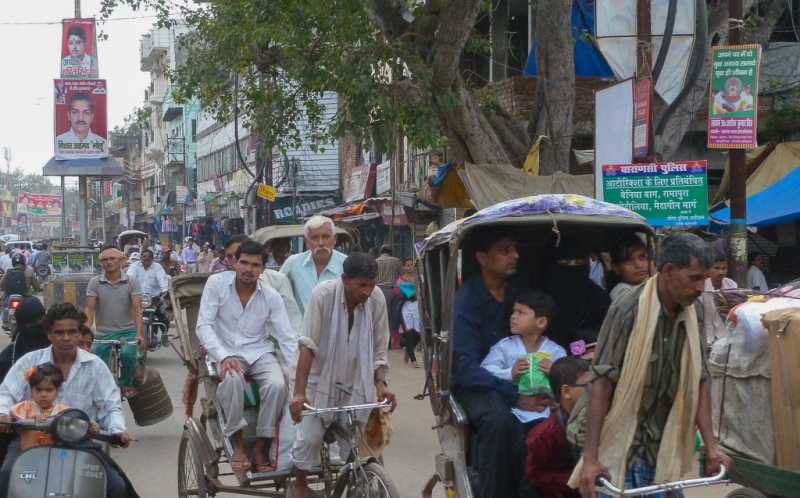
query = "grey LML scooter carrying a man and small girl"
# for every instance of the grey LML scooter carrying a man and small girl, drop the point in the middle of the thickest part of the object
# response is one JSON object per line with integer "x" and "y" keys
{"x": 60, "y": 469}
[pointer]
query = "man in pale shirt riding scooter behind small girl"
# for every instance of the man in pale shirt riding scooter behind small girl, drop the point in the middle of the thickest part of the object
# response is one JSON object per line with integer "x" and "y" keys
{"x": 88, "y": 386}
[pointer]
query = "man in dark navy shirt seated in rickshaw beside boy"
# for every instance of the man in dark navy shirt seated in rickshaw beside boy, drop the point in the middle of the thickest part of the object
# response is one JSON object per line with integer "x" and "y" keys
{"x": 483, "y": 306}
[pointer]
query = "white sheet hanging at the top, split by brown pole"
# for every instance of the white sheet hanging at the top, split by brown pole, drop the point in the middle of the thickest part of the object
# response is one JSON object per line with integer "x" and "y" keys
{"x": 615, "y": 29}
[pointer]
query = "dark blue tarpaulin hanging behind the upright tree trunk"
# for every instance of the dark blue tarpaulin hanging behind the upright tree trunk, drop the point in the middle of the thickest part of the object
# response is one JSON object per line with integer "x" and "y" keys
{"x": 588, "y": 60}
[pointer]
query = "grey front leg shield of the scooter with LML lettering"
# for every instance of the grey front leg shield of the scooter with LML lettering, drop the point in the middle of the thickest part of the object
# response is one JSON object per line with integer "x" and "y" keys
{"x": 45, "y": 471}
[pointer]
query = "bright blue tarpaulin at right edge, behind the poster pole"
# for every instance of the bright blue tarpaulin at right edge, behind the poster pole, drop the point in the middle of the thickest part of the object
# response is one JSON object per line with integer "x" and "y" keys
{"x": 778, "y": 203}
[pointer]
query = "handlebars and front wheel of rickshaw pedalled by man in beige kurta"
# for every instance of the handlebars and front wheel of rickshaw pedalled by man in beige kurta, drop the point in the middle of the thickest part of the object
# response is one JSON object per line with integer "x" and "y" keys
{"x": 359, "y": 477}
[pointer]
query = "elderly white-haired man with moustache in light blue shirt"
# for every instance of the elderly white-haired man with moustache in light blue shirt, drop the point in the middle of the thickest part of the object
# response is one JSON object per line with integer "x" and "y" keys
{"x": 319, "y": 263}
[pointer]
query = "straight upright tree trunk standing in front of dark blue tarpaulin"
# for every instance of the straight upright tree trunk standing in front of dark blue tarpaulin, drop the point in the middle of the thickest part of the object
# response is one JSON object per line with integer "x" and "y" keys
{"x": 556, "y": 85}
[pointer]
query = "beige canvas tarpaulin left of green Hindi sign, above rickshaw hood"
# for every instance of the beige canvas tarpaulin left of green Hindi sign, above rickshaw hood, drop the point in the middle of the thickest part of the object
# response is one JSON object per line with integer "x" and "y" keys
{"x": 489, "y": 184}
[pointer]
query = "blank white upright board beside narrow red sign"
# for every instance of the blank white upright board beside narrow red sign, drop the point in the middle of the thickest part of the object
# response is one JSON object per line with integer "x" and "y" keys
{"x": 613, "y": 139}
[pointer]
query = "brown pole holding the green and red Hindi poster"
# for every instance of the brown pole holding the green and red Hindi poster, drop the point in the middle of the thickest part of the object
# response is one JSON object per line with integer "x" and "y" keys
{"x": 738, "y": 174}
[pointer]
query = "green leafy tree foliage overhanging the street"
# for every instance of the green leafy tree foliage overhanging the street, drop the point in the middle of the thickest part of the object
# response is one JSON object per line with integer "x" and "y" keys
{"x": 271, "y": 61}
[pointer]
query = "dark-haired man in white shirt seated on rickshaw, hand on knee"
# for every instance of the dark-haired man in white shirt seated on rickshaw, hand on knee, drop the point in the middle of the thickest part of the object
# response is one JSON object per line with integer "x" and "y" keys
{"x": 235, "y": 310}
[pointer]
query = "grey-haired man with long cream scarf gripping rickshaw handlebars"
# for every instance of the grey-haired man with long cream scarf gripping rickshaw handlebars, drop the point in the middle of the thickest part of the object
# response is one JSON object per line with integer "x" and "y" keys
{"x": 650, "y": 360}
